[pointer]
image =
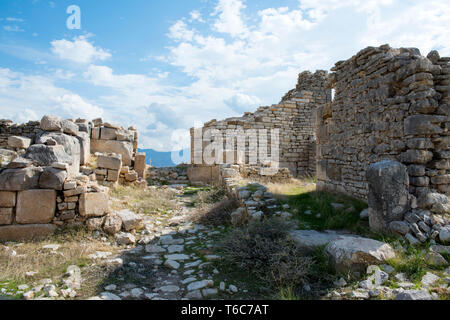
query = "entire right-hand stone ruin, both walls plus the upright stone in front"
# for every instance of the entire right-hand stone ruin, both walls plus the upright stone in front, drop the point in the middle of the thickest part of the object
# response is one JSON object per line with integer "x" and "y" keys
{"x": 382, "y": 138}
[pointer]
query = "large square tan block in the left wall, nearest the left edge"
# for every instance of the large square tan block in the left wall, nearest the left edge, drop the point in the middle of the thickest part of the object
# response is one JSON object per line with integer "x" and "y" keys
{"x": 35, "y": 206}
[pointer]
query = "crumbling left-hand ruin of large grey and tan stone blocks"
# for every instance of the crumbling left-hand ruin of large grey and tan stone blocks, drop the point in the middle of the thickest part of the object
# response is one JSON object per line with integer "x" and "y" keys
{"x": 57, "y": 172}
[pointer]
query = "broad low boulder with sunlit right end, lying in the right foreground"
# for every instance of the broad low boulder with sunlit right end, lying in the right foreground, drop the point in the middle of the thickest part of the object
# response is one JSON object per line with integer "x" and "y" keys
{"x": 349, "y": 253}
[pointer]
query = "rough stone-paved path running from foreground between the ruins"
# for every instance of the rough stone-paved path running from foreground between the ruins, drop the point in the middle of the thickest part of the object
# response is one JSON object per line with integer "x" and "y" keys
{"x": 173, "y": 261}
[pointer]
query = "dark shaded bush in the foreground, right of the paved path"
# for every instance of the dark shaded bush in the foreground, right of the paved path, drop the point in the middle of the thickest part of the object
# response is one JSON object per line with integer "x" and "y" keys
{"x": 265, "y": 250}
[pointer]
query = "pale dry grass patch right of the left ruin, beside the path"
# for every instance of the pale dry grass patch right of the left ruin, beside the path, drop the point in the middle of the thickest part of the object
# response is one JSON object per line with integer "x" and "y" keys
{"x": 146, "y": 201}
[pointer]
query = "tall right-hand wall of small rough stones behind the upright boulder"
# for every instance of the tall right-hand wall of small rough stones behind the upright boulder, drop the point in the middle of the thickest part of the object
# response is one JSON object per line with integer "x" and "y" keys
{"x": 389, "y": 104}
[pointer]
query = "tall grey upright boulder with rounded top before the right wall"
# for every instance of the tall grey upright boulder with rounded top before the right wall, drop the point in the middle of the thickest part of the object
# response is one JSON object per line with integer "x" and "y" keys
{"x": 388, "y": 195}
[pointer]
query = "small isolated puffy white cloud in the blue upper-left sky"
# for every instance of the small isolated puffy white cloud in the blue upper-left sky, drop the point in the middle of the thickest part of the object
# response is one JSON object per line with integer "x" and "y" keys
{"x": 80, "y": 50}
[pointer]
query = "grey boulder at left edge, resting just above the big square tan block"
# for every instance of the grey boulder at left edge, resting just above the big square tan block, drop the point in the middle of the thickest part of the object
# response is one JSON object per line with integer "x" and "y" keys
{"x": 20, "y": 179}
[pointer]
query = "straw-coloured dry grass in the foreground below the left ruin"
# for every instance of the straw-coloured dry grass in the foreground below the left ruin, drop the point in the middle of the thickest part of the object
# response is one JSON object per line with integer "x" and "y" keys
{"x": 75, "y": 247}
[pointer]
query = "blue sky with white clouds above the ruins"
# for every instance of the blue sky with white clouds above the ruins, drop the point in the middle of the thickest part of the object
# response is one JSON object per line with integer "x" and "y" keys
{"x": 165, "y": 66}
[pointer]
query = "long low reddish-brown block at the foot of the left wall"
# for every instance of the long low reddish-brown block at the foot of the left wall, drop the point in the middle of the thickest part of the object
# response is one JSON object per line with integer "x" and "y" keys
{"x": 26, "y": 232}
